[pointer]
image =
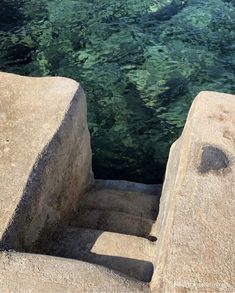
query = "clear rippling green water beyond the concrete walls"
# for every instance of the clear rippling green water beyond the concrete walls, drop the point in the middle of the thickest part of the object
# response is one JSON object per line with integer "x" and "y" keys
{"x": 140, "y": 62}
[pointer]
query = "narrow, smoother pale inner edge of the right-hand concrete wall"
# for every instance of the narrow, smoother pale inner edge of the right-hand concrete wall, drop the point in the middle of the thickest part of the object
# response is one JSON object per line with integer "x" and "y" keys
{"x": 176, "y": 171}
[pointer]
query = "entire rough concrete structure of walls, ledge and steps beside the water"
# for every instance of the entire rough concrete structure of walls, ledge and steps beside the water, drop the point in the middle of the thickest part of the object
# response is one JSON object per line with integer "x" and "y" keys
{"x": 45, "y": 173}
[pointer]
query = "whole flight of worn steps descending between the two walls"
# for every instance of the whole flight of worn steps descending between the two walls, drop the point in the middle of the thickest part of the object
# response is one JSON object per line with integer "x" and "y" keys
{"x": 111, "y": 228}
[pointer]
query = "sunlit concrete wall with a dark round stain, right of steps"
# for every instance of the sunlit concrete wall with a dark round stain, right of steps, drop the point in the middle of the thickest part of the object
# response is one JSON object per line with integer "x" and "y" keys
{"x": 196, "y": 223}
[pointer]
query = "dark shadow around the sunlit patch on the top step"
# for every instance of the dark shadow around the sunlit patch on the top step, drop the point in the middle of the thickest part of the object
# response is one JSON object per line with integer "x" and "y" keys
{"x": 71, "y": 244}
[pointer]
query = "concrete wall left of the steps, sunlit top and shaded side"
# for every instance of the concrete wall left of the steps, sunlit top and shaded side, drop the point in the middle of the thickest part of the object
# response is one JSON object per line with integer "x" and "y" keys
{"x": 45, "y": 155}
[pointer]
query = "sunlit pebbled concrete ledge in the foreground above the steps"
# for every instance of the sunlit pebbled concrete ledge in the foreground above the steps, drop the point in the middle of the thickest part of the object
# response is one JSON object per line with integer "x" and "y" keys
{"x": 31, "y": 273}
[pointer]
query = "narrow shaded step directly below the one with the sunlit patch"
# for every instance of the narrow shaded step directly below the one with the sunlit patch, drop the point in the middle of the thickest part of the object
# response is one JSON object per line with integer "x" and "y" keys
{"x": 113, "y": 221}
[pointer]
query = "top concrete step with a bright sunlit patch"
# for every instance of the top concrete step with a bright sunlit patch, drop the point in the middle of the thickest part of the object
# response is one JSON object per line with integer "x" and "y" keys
{"x": 127, "y": 254}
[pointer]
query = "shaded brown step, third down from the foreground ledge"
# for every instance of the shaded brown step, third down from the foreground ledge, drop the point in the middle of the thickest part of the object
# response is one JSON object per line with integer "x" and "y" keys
{"x": 135, "y": 203}
